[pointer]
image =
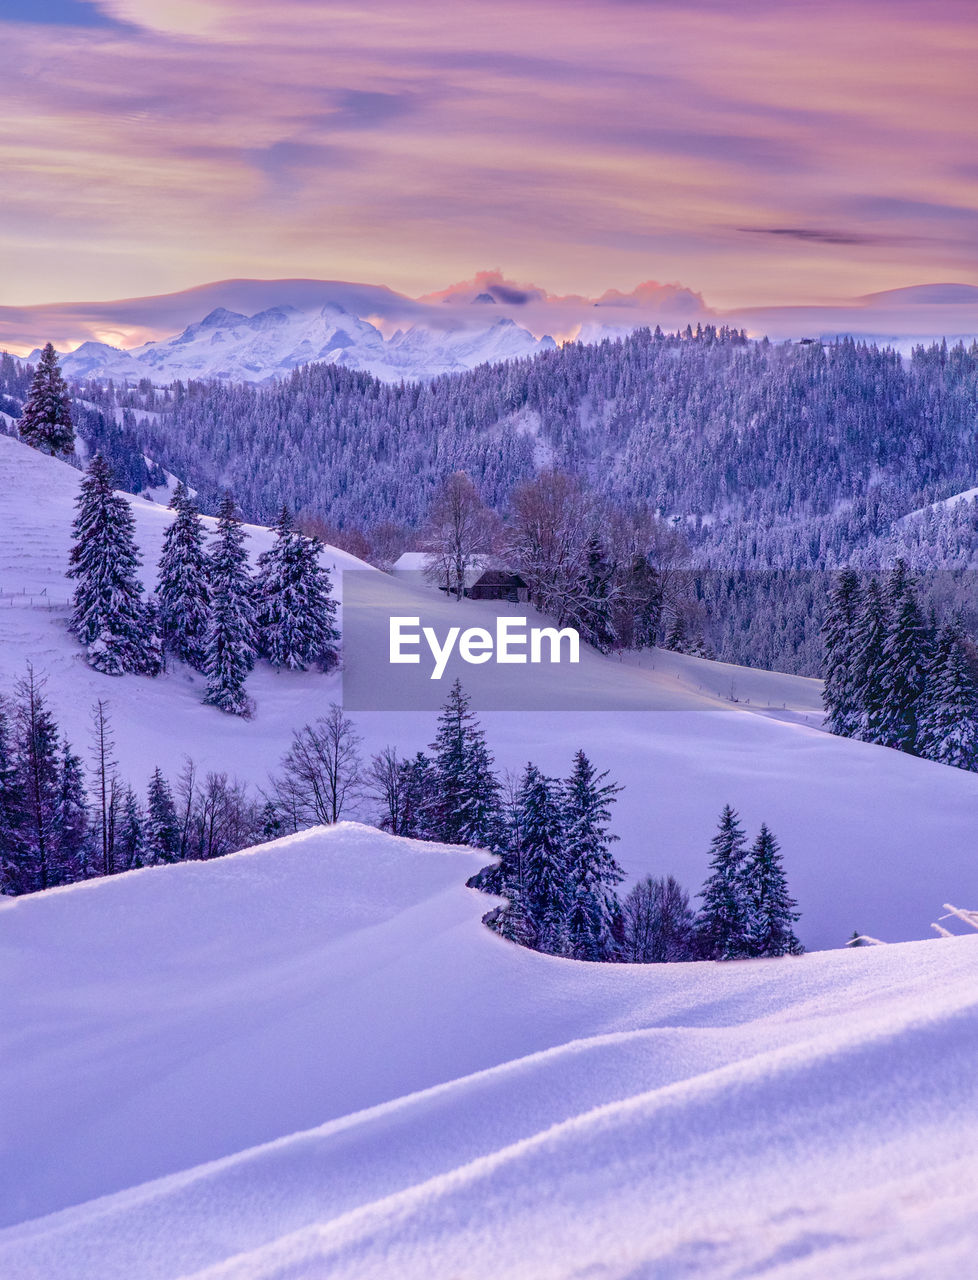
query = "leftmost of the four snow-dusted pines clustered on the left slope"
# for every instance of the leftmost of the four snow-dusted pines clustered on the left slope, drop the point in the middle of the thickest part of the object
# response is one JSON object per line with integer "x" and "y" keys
{"x": 109, "y": 616}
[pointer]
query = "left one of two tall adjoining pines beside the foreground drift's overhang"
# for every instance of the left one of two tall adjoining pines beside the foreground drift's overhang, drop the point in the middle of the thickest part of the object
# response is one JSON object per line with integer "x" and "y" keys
{"x": 546, "y": 898}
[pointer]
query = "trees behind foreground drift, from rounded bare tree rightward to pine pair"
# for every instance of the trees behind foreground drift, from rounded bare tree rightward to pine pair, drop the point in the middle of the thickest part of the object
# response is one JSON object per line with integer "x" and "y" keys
{"x": 554, "y": 845}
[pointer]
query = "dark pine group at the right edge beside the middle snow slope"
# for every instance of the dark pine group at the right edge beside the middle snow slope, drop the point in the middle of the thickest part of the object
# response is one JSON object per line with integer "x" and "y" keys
{"x": 895, "y": 675}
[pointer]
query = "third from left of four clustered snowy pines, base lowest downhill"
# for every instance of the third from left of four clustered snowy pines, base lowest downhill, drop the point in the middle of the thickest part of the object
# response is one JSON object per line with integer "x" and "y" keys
{"x": 230, "y": 653}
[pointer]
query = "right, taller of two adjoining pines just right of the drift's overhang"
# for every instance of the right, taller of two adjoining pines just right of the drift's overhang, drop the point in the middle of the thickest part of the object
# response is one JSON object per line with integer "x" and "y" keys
{"x": 592, "y": 870}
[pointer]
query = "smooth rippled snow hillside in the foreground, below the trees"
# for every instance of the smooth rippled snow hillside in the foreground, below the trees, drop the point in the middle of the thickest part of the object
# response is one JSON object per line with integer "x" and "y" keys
{"x": 312, "y": 1060}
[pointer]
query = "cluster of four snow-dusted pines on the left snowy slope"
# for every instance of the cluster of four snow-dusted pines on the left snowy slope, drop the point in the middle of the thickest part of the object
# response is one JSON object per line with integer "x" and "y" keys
{"x": 208, "y": 611}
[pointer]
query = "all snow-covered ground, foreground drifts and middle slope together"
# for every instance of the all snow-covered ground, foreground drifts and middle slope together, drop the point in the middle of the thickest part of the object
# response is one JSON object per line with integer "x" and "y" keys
{"x": 313, "y": 1060}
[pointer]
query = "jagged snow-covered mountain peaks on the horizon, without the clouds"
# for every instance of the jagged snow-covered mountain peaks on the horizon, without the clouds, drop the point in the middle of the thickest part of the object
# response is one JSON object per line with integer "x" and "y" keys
{"x": 271, "y": 344}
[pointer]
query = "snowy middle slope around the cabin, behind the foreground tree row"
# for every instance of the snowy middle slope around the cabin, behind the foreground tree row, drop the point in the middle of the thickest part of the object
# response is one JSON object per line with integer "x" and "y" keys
{"x": 874, "y": 840}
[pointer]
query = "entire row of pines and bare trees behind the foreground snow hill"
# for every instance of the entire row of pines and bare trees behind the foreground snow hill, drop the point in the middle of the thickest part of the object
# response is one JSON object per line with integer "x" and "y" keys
{"x": 63, "y": 822}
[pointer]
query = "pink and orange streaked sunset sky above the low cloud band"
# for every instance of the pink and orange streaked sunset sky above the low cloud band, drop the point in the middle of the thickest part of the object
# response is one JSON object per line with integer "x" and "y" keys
{"x": 760, "y": 153}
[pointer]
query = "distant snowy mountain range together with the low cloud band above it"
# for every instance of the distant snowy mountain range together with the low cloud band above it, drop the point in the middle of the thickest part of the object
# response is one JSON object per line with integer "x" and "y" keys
{"x": 254, "y": 331}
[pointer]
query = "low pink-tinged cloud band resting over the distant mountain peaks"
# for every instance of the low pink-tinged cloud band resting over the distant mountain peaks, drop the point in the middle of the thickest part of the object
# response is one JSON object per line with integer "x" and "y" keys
{"x": 903, "y": 317}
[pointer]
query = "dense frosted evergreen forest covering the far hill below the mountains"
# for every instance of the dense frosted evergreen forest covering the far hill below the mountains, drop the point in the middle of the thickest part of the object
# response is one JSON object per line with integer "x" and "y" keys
{"x": 784, "y": 459}
